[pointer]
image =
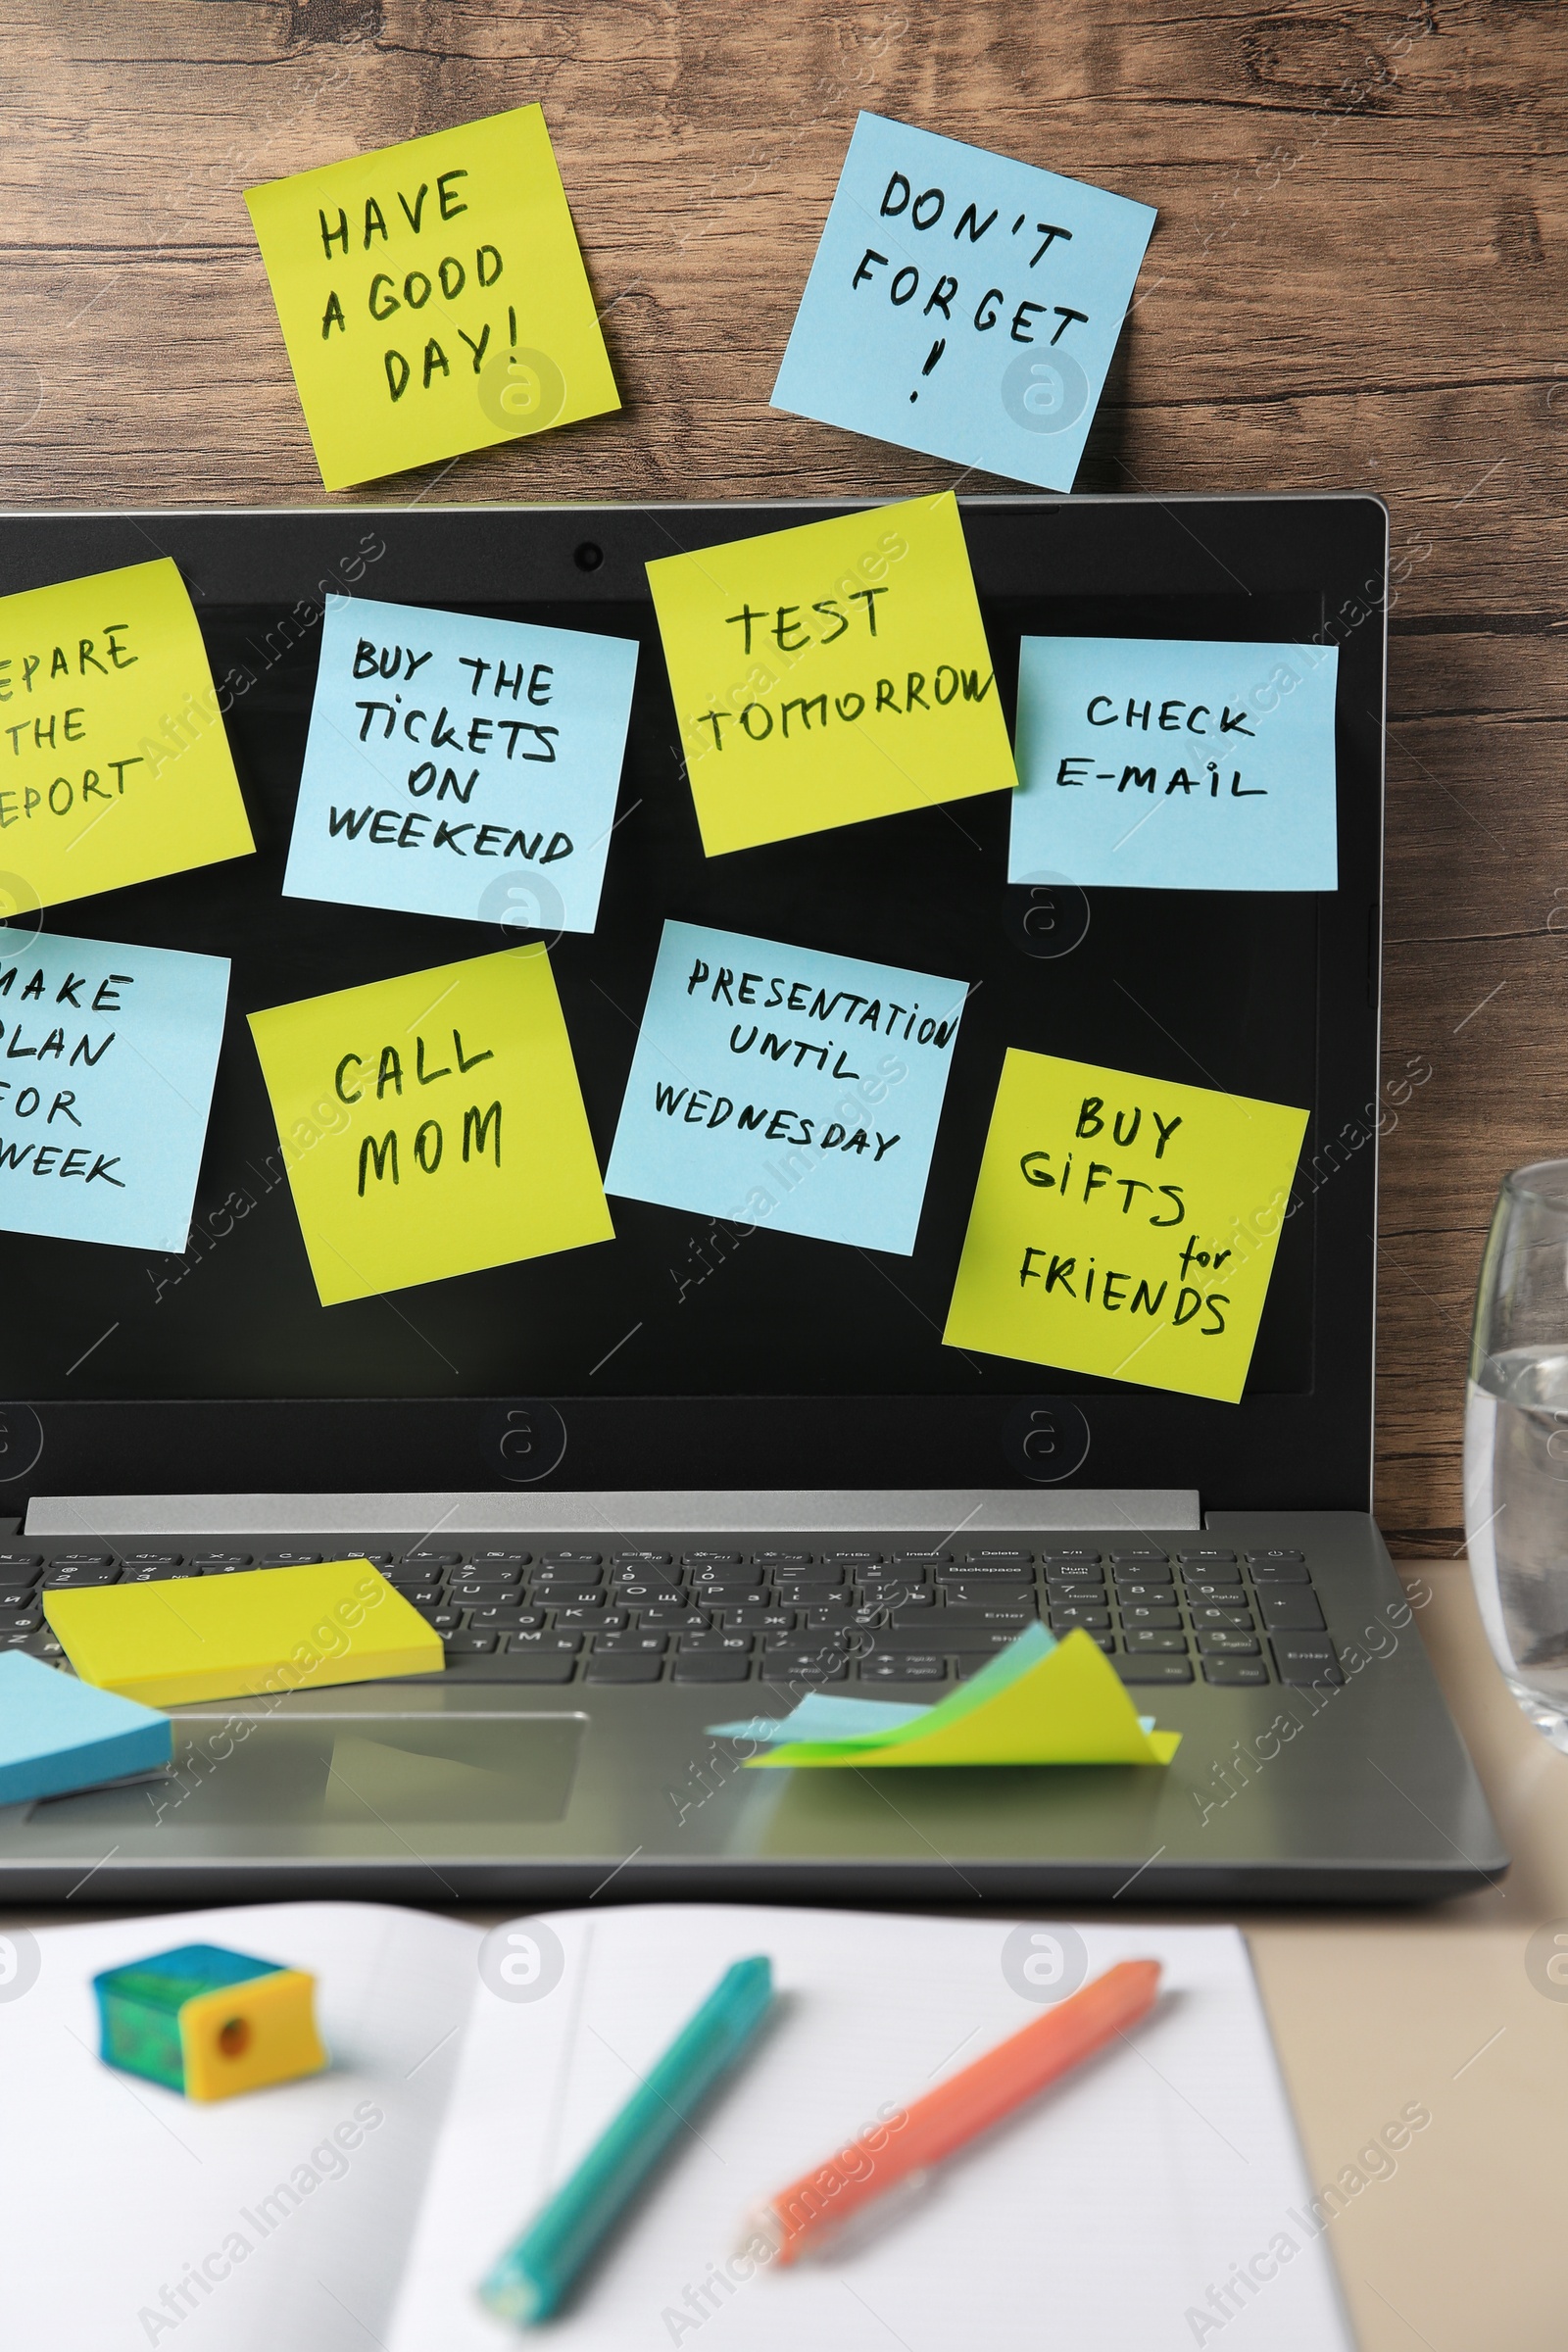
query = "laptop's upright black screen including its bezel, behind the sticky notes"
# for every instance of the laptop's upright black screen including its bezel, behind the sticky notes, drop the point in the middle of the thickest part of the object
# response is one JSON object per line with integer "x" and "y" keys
{"x": 1209, "y": 989}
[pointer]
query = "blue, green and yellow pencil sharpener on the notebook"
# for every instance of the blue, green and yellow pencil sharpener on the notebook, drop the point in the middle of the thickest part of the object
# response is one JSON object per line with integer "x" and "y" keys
{"x": 208, "y": 2022}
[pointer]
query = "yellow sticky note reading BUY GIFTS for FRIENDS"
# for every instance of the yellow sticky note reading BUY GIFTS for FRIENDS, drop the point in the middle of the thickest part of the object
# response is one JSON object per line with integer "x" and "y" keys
{"x": 1125, "y": 1227}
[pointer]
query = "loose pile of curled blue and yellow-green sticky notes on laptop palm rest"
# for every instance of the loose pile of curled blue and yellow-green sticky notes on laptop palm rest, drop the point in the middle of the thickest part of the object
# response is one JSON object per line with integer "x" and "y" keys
{"x": 1040, "y": 1702}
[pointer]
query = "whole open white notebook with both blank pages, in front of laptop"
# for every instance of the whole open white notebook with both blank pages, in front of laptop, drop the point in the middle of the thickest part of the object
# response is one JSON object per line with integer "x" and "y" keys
{"x": 1151, "y": 2200}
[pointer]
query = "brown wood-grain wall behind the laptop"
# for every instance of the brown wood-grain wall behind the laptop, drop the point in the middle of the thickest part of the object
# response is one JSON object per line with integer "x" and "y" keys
{"x": 1358, "y": 281}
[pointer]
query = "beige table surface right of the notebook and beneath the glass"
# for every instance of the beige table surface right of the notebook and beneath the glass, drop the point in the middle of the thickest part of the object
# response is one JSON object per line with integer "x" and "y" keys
{"x": 1459, "y": 2247}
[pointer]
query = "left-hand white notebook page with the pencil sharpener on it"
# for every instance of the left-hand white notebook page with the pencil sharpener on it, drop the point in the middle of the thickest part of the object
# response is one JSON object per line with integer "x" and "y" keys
{"x": 116, "y": 2191}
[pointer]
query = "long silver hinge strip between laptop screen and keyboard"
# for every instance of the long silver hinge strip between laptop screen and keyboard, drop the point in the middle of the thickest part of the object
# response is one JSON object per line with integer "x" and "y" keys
{"x": 610, "y": 1514}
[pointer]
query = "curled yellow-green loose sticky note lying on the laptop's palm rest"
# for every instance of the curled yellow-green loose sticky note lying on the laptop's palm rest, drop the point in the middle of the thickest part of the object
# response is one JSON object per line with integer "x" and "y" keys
{"x": 1036, "y": 1704}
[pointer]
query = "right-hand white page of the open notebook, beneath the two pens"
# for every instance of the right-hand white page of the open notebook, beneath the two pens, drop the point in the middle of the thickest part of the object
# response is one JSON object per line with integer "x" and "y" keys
{"x": 1099, "y": 2217}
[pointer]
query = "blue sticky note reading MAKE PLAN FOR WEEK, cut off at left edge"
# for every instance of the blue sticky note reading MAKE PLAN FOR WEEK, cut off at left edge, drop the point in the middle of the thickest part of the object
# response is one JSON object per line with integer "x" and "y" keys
{"x": 107, "y": 1064}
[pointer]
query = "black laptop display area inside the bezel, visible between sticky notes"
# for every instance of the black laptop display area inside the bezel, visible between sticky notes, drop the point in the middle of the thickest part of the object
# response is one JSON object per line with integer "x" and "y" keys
{"x": 1212, "y": 989}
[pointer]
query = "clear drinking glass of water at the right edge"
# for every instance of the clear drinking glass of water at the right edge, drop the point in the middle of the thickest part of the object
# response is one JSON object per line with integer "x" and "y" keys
{"x": 1517, "y": 1443}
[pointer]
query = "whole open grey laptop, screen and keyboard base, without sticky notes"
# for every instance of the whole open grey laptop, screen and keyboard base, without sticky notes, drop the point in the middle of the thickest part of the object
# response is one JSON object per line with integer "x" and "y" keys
{"x": 688, "y": 1478}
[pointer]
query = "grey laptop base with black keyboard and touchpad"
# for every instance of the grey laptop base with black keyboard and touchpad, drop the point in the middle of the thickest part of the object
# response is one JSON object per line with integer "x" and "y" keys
{"x": 1311, "y": 1784}
